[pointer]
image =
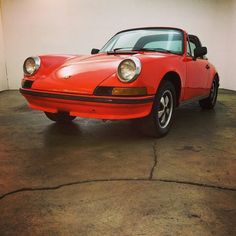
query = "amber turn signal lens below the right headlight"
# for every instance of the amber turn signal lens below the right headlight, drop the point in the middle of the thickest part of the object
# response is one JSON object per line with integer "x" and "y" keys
{"x": 139, "y": 91}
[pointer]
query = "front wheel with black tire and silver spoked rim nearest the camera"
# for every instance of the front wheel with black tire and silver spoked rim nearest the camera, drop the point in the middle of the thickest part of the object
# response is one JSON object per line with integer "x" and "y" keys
{"x": 158, "y": 123}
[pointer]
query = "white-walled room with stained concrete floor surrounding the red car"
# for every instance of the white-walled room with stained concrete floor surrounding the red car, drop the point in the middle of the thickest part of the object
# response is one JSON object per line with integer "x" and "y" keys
{"x": 106, "y": 178}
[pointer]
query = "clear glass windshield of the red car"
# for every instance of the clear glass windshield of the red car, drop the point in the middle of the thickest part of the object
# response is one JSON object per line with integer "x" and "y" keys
{"x": 163, "y": 40}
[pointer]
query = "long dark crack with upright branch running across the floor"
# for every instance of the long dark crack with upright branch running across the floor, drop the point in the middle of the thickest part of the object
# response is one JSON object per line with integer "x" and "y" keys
{"x": 149, "y": 179}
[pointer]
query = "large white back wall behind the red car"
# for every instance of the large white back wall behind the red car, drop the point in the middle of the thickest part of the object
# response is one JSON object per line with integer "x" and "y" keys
{"x": 75, "y": 26}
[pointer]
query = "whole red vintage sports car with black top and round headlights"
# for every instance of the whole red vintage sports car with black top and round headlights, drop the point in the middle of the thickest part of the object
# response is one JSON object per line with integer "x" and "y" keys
{"x": 139, "y": 73}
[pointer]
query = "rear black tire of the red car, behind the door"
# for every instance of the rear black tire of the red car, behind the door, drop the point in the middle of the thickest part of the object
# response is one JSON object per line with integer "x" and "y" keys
{"x": 210, "y": 101}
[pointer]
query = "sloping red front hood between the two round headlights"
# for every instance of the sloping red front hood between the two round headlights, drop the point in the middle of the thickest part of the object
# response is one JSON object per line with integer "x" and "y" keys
{"x": 83, "y": 74}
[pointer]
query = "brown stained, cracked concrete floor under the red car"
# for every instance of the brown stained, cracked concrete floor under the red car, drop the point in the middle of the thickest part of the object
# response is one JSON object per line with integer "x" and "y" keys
{"x": 95, "y": 178}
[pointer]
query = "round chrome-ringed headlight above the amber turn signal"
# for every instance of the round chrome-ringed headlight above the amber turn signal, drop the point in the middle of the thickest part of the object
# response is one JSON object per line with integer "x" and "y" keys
{"x": 129, "y": 69}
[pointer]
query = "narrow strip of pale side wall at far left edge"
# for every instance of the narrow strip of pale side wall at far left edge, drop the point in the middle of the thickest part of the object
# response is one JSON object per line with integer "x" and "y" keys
{"x": 3, "y": 77}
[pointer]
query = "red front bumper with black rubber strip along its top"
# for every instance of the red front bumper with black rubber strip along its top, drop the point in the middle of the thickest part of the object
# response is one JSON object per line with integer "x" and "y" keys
{"x": 111, "y": 108}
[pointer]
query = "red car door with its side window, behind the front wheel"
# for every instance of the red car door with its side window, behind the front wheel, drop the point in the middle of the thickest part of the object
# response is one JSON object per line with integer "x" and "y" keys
{"x": 197, "y": 71}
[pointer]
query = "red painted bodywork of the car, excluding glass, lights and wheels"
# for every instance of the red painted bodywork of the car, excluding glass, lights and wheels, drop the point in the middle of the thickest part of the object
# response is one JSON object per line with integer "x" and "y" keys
{"x": 67, "y": 83}
